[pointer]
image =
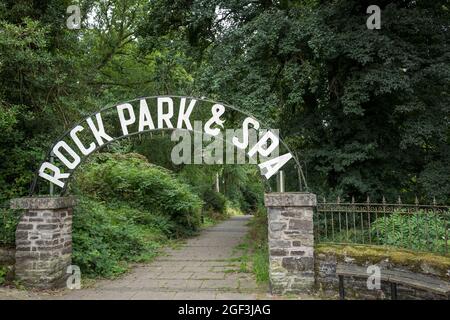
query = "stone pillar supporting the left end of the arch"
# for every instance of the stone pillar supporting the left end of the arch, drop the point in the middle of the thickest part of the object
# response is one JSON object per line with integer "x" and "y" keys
{"x": 43, "y": 241}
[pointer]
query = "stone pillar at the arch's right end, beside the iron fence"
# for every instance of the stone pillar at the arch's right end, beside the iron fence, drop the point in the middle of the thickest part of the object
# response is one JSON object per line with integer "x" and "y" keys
{"x": 291, "y": 241}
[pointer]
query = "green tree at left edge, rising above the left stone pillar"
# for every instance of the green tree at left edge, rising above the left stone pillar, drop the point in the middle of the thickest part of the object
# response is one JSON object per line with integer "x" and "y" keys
{"x": 40, "y": 87}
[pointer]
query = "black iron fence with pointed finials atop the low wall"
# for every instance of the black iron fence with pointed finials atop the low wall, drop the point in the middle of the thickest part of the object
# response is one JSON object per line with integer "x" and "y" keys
{"x": 412, "y": 226}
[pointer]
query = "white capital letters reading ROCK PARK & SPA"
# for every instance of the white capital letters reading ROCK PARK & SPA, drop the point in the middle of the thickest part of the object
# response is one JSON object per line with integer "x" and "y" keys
{"x": 138, "y": 119}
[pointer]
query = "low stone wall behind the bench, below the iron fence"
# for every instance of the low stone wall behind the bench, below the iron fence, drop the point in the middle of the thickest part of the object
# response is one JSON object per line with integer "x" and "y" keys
{"x": 356, "y": 288}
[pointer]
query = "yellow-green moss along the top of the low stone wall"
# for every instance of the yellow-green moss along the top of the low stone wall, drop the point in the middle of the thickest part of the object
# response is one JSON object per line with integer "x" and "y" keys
{"x": 412, "y": 260}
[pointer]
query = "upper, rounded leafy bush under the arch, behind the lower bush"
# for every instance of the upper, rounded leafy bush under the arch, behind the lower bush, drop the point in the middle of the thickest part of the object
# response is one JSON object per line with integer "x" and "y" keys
{"x": 130, "y": 178}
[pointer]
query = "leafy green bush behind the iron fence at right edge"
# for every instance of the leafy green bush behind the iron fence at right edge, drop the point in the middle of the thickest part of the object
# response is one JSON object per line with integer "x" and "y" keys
{"x": 419, "y": 231}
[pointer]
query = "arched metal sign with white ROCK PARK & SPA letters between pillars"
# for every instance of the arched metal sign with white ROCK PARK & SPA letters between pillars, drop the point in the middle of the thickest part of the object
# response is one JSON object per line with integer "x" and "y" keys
{"x": 176, "y": 113}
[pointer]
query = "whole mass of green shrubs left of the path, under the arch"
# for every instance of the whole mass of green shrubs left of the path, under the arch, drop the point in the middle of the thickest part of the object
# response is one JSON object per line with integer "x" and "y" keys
{"x": 127, "y": 210}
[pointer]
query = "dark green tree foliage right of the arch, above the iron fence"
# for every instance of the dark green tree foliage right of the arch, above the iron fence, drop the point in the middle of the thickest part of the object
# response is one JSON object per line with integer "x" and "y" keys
{"x": 366, "y": 110}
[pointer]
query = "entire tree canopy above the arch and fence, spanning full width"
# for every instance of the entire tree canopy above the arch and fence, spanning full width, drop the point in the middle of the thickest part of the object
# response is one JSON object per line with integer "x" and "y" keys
{"x": 366, "y": 110}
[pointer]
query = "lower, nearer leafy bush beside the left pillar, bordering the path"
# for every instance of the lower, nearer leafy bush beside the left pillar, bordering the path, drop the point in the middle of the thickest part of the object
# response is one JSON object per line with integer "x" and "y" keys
{"x": 105, "y": 237}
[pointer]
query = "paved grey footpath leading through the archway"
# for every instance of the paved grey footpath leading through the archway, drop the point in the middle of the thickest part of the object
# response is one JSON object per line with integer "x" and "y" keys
{"x": 201, "y": 269}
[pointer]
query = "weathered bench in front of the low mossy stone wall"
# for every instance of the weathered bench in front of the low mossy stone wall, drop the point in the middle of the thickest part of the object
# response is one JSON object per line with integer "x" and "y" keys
{"x": 394, "y": 277}
